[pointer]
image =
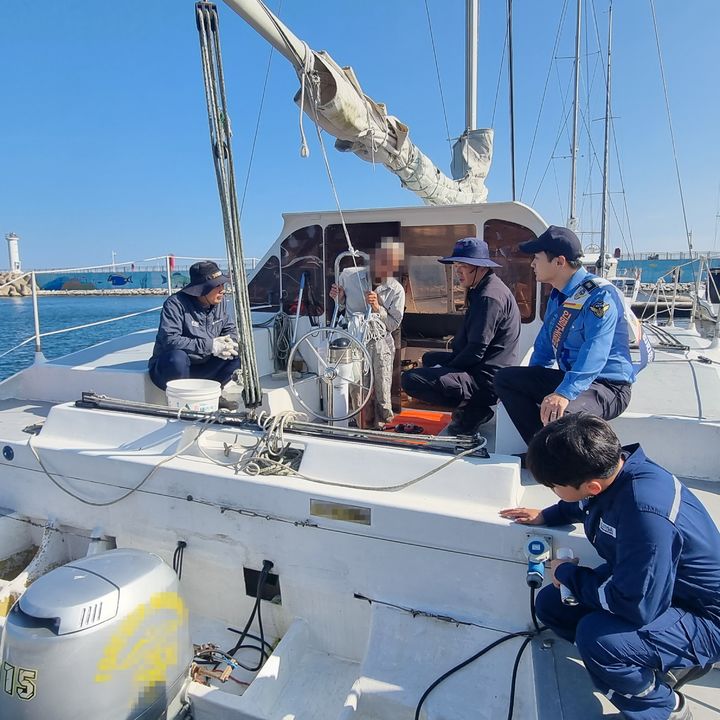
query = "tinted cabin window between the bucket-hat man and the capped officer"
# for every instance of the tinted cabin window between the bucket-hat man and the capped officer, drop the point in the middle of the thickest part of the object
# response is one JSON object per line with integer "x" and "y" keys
{"x": 503, "y": 238}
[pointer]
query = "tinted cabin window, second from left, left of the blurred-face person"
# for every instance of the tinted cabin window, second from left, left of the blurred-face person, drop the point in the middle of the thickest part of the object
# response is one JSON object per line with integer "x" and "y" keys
{"x": 301, "y": 253}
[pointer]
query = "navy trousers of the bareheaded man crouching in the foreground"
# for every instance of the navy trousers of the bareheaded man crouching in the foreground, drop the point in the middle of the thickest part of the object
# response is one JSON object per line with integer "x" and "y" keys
{"x": 624, "y": 660}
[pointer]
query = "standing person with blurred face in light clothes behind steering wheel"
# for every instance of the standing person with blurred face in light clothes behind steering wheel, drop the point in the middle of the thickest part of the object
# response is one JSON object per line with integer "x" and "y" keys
{"x": 386, "y": 302}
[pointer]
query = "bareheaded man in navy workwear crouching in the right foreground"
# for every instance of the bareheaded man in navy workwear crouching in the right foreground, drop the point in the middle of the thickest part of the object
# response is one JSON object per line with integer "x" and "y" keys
{"x": 647, "y": 618}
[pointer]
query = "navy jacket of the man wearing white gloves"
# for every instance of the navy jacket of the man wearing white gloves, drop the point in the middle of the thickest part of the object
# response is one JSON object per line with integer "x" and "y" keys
{"x": 186, "y": 325}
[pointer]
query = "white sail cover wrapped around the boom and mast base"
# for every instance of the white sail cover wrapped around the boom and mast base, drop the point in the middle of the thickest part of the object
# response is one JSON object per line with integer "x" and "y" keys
{"x": 364, "y": 127}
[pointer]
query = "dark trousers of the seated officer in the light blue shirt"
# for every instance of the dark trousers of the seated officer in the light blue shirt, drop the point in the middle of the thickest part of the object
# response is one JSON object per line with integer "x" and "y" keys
{"x": 522, "y": 389}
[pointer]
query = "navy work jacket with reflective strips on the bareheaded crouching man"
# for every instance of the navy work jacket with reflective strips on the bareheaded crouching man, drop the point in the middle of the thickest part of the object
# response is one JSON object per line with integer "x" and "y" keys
{"x": 661, "y": 547}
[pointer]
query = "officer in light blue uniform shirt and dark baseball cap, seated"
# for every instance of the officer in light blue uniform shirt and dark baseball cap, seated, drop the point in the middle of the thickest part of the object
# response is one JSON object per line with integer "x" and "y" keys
{"x": 584, "y": 332}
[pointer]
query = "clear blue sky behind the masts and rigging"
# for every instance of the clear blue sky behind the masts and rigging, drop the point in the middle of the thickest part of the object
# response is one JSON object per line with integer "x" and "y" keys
{"x": 104, "y": 140}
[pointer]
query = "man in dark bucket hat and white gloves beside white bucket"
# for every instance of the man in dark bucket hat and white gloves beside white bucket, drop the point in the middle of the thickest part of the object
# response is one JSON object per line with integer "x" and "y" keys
{"x": 196, "y": 337}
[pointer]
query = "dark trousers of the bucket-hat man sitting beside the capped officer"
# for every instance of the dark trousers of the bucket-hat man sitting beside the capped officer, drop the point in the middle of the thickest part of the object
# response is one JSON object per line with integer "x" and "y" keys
{"x": 449, "y": 387}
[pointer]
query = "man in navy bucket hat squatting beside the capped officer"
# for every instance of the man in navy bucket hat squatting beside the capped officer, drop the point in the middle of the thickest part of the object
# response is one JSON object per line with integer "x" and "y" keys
{"x": 487, "y": 341}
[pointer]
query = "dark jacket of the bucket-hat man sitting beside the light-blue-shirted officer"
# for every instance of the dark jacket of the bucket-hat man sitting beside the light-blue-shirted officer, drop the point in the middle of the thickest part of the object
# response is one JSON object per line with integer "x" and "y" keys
{"x": 488, "y": 338}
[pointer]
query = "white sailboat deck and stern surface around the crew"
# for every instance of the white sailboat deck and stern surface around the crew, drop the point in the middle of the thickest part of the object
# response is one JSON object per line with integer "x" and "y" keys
{"x": 444, "y": 574}
